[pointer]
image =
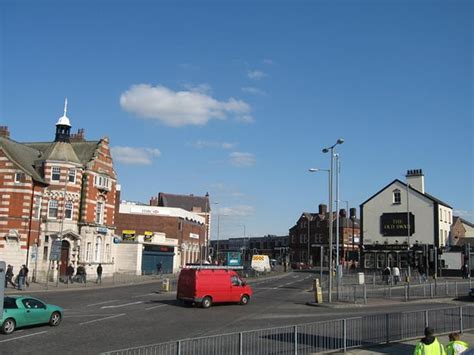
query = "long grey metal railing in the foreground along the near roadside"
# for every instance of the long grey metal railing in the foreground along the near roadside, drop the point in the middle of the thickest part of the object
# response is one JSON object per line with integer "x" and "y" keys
{"x": 320, "y": 337}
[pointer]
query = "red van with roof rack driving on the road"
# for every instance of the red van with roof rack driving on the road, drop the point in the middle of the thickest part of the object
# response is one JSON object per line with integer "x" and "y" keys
{"x": 208, "y": 285}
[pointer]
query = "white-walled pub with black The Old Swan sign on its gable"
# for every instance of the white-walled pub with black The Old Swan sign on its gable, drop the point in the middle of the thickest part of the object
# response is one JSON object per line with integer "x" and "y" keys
{"x": 402, "y": 224}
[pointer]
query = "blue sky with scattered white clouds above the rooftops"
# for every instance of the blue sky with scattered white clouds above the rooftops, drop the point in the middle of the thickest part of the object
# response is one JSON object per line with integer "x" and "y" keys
{"x": 237, "y": 98}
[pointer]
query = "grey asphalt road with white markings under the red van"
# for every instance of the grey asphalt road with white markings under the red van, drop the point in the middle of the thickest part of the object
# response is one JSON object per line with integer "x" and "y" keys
{"x": 98, "y": 320}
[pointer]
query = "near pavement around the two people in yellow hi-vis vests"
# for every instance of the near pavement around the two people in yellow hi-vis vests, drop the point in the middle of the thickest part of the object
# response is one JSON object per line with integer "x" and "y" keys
{"x": 406, "y": 347}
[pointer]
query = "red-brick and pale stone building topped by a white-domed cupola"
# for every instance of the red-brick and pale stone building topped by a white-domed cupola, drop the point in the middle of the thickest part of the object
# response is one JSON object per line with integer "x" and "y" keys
{"x": 60, "y": 191}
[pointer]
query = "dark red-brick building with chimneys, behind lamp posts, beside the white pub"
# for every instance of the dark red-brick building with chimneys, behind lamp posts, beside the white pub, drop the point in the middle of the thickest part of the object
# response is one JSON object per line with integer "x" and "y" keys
{"x": 309, "y": 237}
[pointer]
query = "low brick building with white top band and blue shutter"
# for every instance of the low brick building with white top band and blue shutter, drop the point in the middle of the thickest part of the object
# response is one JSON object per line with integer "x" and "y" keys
{"x": 157, "y": 238}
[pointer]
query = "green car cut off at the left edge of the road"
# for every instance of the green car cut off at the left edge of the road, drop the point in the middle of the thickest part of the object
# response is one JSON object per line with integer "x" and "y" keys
{"x": 23, "y": 311}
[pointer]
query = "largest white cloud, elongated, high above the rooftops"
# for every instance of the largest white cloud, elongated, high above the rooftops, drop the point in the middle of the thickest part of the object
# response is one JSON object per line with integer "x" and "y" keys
{"x": 179, "y": 108}
